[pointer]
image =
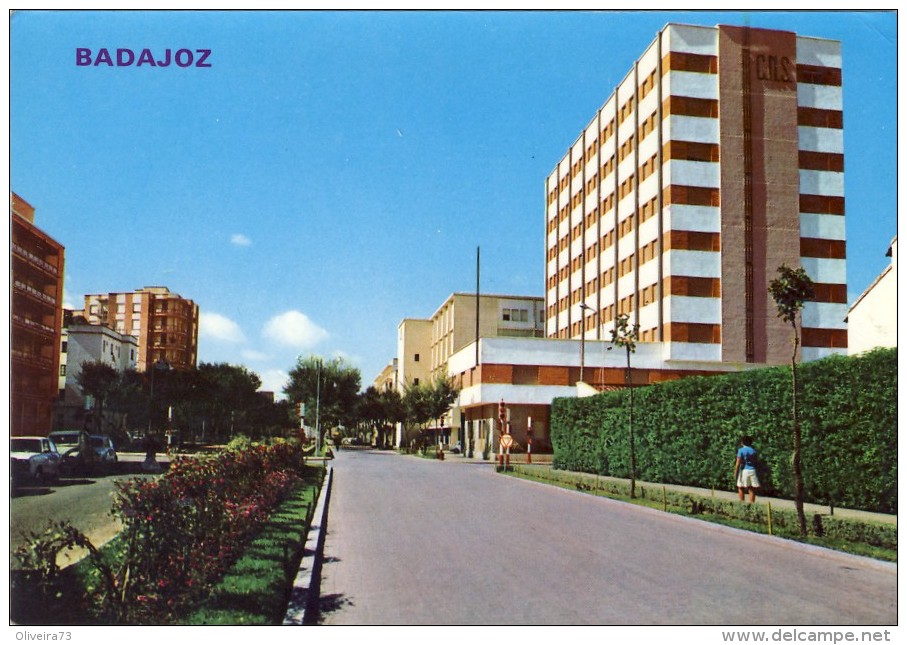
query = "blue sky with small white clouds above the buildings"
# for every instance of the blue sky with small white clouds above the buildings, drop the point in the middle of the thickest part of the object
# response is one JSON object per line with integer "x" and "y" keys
{"x": 333, "y": 172}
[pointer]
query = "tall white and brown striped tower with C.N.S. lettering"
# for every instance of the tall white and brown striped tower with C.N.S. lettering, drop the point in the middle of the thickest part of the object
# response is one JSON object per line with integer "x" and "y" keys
{"x": 717, "y": 159}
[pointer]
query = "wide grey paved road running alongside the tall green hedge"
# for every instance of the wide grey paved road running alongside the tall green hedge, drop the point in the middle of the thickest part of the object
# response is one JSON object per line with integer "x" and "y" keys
{"x": 413, "y": 541}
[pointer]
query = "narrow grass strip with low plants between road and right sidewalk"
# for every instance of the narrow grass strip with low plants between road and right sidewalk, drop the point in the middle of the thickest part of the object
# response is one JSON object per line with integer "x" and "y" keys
{"x": 852, "y": 536}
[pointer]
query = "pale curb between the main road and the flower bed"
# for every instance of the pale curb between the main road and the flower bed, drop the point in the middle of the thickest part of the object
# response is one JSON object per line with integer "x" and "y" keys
{"x": 306, "y": 591}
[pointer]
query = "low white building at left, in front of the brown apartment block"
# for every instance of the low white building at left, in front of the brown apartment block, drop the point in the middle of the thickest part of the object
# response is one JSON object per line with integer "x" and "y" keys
{"x": 90, "y": 343}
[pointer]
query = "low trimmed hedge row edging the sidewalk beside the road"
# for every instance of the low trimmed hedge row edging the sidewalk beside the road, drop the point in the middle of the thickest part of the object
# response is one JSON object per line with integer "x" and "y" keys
{"x": 784, "y": 521}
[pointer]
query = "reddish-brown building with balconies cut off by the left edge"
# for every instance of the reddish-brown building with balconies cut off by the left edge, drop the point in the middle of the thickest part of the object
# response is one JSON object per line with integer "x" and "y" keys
{"x": 36, "y": 310}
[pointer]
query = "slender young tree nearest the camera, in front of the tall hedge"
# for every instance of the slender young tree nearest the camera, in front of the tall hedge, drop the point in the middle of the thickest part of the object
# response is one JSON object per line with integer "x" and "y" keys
{"x": 790, "y": 290}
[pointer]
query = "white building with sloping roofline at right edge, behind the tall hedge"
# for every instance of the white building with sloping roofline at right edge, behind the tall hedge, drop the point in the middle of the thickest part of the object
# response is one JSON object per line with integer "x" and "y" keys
{"x": 873, "y": 317}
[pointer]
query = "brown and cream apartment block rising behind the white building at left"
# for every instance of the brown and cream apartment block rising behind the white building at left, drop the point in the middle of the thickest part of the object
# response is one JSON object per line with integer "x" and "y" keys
{"x": 165, "y": 324}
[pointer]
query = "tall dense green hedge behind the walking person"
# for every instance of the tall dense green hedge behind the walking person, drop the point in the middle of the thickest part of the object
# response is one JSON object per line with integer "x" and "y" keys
{"x": 686, "y": 431}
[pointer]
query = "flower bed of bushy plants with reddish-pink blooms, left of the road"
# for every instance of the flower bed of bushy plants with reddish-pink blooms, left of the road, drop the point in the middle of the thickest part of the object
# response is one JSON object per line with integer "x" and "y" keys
{"x": 181, "y": 531}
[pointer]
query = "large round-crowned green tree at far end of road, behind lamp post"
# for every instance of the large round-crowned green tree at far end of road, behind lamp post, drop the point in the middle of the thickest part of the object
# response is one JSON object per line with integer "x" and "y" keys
{"x": 329, "y": 390}
